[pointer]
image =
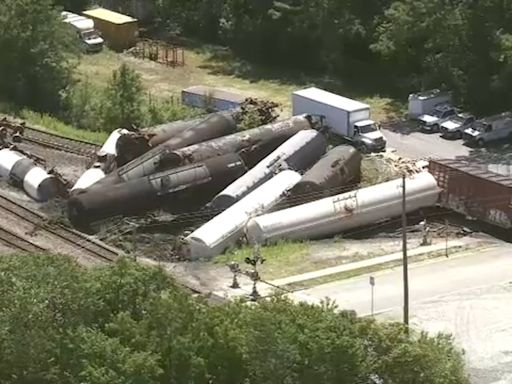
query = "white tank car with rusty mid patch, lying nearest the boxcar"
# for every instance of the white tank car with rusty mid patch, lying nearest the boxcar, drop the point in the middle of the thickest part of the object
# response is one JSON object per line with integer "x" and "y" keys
{"x": 333, "y": 215}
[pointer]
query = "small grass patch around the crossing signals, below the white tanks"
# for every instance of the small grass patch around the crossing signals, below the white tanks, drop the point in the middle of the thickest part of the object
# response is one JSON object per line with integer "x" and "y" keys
{"x": 281, "y": 259}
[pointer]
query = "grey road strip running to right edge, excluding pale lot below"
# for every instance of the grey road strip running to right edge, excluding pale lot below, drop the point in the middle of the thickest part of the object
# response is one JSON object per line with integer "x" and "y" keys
{"x": 427, "y": 280}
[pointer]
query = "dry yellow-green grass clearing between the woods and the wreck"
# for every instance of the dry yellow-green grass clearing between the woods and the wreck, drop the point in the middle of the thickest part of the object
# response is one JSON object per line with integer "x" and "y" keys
{"x": 215, "y": 67}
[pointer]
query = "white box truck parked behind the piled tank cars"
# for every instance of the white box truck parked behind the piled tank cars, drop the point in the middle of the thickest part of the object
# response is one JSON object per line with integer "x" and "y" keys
{"x": 344, "y": 117}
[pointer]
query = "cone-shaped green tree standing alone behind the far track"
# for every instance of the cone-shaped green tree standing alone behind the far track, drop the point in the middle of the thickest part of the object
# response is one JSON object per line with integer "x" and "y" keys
{"x": 123, "y": 99}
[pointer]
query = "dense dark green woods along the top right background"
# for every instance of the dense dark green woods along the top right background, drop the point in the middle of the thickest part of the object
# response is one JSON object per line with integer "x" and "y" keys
{"x": 394, "y": 47}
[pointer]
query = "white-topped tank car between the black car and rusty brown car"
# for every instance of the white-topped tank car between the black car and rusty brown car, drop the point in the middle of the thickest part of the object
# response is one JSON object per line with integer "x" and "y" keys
{"x": 297, "y": 153}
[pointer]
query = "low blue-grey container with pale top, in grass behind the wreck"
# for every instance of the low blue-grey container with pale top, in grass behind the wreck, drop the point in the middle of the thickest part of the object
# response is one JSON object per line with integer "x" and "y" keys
{"x": 212, "y": 99}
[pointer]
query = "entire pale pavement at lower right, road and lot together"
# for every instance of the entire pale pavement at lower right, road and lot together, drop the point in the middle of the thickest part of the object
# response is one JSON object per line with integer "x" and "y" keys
{"x": 469, "y": 297}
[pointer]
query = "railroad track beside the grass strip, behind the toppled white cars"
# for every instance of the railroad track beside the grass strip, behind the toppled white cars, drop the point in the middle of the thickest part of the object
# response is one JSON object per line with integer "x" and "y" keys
{"x": 60, "y": 143}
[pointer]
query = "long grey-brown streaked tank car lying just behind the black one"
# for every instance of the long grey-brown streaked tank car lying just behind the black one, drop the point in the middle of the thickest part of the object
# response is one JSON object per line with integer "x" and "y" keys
{"x": 253, "y": 145}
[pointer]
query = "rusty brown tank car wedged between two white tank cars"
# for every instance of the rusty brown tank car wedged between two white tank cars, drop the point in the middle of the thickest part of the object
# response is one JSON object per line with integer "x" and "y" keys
{"x": 337, "y": 169}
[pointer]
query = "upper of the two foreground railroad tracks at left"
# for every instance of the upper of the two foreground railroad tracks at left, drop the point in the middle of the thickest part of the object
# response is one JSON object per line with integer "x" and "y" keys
{"x": 86, "y": 244}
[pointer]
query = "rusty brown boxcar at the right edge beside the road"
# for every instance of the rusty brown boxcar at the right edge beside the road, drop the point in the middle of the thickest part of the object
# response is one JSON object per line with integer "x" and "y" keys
{"x": 473, "y": 190}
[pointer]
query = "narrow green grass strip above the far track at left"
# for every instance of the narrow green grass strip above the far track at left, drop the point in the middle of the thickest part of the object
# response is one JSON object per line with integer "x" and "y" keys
{"x": 51, "y": 124}
